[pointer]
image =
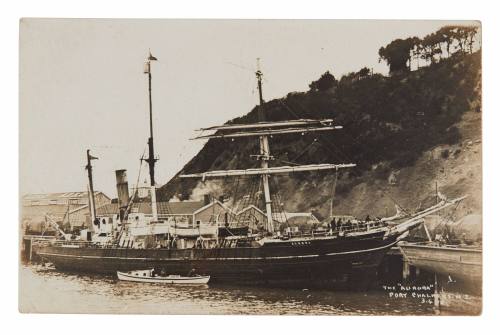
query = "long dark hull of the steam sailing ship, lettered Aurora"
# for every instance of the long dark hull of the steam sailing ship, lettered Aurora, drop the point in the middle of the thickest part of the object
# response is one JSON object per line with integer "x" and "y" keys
{"x": 337, "y": 262}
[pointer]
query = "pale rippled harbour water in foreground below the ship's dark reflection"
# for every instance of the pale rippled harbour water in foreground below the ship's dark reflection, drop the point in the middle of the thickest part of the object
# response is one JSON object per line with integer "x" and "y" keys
{"x": 46, "y": 290}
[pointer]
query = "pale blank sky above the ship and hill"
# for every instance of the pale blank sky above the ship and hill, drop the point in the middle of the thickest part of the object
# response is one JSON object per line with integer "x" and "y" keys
{"x": 82, "y": 85}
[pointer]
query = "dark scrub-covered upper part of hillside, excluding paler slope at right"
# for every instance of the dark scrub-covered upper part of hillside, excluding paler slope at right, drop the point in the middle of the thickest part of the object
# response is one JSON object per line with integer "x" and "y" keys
{"x": 389, "y": 122}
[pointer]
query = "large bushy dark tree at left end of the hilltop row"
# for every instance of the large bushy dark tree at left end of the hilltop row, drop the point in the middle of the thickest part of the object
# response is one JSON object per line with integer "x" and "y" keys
{"x": 398, "y": 53}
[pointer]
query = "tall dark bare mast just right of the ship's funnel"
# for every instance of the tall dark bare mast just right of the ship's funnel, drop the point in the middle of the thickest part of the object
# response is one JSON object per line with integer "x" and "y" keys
{"x": 151, "y": 154}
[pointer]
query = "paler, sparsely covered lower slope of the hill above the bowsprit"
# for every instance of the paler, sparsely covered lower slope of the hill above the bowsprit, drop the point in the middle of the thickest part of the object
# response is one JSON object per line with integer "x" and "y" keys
{"x": 458, "y": 174}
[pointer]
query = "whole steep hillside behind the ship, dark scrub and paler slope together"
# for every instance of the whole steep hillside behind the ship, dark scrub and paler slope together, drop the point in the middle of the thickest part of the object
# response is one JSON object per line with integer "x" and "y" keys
{"x": 405, "y": 132}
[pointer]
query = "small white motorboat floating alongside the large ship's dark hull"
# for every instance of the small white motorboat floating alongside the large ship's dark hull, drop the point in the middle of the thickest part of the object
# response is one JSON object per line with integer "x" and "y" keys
{"x": 149, "y": 276}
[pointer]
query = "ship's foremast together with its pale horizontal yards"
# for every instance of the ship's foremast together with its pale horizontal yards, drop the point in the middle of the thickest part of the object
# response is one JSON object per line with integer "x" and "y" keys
{"x": 263, "y": 129}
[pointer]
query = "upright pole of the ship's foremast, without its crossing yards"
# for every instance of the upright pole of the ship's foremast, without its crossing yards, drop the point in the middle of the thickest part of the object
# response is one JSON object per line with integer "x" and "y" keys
{"x": 265, "y": 154}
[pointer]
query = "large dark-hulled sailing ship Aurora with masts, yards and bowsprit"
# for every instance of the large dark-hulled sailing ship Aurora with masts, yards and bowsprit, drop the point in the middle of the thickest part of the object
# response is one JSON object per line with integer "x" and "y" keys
{"x": 341, "y": 258}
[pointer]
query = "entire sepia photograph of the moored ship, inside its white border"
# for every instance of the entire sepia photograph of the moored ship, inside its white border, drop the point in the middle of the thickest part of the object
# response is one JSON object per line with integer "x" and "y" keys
{"x": 250, "y": 167}
